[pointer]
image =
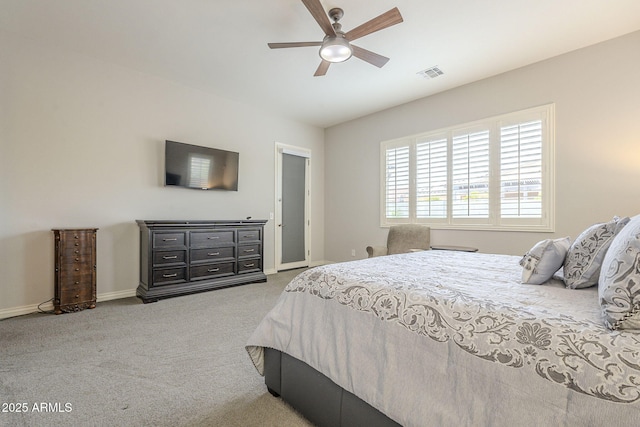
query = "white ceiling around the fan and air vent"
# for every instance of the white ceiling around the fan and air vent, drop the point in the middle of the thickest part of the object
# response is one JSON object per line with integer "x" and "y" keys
{"x": 220, "y": 46}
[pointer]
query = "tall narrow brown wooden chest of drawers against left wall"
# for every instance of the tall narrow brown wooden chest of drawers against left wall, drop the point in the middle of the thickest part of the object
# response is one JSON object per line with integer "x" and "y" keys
{"x": 75, "y": 269}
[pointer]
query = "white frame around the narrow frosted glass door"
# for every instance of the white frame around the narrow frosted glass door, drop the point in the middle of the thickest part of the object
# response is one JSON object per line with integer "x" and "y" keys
{"x": 281, "y": 149}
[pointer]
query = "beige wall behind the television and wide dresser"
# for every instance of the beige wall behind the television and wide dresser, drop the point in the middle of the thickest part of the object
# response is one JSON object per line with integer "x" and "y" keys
{"x": 82, "y": 145}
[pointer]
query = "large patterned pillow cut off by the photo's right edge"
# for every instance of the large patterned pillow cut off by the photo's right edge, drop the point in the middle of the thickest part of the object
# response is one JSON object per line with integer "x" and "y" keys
{"x": 619, "y": 282}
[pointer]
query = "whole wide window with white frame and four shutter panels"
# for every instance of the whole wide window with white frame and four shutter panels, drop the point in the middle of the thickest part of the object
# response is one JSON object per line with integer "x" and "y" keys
{"x": 494, "y": 174}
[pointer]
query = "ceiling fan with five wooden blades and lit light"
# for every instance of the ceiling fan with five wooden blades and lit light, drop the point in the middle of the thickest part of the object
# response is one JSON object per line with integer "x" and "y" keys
{"x": 336, "y": 45}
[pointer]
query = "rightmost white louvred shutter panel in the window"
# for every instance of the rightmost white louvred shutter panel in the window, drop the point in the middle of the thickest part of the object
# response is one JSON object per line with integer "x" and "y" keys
{"x": 521, "y": 170}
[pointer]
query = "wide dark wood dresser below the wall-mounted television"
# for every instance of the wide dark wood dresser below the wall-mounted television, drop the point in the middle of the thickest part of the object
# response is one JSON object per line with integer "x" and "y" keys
{"x": 185, "y": 257}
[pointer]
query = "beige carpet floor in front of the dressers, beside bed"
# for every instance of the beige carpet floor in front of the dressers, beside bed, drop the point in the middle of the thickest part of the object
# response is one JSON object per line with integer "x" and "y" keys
{"x": 176, "y": 362}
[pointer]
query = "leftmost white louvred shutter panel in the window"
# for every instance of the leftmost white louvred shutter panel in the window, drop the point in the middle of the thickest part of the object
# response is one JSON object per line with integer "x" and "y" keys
{"x": 397, "y": 182}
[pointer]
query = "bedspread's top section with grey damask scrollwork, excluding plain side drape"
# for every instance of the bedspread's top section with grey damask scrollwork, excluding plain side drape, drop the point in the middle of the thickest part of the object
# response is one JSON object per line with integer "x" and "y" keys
{"x": 480, "y": 306}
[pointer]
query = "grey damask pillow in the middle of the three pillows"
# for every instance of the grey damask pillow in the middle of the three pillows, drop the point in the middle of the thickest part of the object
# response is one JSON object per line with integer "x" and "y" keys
{"x": 582, "y": 265}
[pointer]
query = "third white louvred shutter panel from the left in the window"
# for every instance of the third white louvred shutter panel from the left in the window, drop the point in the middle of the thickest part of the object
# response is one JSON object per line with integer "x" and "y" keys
{"x": 470, "y": 175}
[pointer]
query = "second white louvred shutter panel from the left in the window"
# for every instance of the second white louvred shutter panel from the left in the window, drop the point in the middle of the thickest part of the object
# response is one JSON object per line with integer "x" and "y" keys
{"x": 431, "y": 179}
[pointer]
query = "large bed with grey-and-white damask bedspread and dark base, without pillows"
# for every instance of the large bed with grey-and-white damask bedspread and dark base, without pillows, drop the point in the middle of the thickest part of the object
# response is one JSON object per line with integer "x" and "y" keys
{"x": 443, "y": 338}
